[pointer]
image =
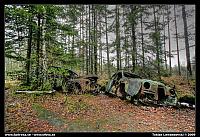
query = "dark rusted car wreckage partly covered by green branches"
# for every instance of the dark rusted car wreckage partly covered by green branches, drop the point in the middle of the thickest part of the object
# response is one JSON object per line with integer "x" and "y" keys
{"x": 68, "y": 81}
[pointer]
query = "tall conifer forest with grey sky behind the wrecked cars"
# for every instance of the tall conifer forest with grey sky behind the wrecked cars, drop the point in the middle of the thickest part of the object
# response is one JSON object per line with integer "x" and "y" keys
{"x": 98, "y": 39}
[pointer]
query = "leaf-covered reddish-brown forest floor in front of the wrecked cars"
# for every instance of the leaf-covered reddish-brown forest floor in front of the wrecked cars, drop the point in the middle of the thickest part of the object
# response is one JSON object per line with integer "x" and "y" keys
{"x": 46, "y": 113}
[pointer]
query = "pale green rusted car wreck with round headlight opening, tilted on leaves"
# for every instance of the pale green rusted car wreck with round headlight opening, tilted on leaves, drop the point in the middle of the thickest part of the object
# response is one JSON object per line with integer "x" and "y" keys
{"x": 127, "y": 85}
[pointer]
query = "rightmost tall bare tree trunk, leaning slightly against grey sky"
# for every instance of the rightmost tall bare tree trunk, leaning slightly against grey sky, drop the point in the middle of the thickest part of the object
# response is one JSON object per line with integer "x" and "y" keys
{"x": 186, "y": 40}
